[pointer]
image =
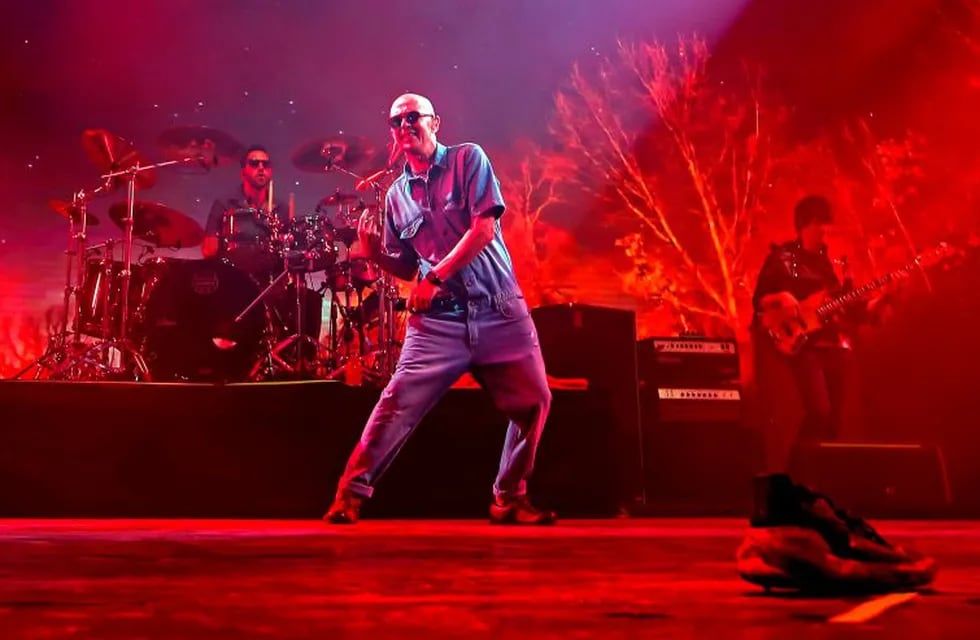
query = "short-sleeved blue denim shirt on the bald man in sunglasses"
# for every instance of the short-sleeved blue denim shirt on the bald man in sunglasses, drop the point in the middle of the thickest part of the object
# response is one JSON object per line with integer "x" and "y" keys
{"x": 428, "y": 214}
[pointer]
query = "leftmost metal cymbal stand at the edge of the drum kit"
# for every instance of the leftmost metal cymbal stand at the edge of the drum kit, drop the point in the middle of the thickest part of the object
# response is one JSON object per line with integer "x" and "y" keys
{"x": 57, "y": 357}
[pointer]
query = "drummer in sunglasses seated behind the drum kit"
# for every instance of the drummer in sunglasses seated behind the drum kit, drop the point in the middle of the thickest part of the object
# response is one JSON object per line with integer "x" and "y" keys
{"x": 239, "y": 226}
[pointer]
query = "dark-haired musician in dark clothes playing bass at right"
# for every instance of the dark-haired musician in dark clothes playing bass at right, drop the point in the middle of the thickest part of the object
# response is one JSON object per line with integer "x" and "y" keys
{"x": 820, "y": 370}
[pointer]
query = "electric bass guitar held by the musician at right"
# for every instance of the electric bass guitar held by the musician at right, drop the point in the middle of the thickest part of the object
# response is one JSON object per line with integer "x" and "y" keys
{"x": 790, "y": 322}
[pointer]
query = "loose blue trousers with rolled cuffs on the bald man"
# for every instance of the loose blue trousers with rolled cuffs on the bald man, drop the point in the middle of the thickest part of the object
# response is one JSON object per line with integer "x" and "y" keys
{"x": 496, "y": 340}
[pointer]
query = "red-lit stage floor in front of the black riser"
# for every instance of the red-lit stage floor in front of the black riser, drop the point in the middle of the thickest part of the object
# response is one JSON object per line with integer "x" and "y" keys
{"x": 290, "y": 579}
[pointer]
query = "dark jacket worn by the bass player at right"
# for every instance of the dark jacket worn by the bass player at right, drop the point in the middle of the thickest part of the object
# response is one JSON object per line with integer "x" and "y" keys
{"x": 790, "y": 267}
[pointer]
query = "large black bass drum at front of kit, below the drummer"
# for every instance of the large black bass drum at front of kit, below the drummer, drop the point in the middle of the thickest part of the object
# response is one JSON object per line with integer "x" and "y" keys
{"x": 189, "y": 328}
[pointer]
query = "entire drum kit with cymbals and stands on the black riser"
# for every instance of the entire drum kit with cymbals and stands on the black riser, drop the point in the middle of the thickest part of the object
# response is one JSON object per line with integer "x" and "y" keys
{"x": 131, "y": 315}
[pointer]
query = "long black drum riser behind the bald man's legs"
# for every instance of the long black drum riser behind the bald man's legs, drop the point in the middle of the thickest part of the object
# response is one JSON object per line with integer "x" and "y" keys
{"x": 272, "y": 450}
